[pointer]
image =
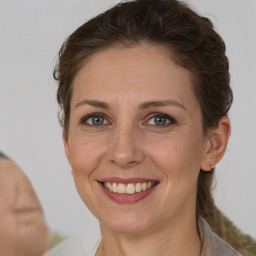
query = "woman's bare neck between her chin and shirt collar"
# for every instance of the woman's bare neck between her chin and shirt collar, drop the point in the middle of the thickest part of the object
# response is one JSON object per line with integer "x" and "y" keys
{"x": 174, "y": 239}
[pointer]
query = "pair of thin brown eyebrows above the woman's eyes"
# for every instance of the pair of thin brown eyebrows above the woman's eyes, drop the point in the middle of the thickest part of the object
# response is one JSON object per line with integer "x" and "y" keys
{"x": 144, "y": 105}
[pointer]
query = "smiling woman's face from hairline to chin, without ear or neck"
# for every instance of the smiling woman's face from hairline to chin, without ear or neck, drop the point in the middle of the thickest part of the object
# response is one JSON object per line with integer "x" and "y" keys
{"x": 135, "y": 125}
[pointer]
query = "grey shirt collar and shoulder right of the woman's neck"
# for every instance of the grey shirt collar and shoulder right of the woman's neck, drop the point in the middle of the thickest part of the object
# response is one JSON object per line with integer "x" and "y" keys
{"x": 212, "y": 244}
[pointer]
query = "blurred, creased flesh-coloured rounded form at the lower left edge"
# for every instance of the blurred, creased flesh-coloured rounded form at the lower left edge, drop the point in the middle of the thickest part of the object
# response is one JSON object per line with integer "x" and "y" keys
{"x": 23, "y": 230}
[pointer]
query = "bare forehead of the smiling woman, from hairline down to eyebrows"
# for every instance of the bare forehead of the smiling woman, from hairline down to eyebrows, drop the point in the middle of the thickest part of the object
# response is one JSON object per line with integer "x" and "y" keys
{"x": 145, "y": 69}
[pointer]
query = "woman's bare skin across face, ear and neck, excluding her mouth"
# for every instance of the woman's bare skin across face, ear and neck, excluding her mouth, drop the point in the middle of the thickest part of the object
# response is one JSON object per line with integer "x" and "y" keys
{"x": 130, "y": 145}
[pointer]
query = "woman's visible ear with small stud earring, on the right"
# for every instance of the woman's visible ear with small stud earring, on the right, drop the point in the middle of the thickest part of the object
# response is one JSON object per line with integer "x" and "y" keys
{"x": 216, "y": 144}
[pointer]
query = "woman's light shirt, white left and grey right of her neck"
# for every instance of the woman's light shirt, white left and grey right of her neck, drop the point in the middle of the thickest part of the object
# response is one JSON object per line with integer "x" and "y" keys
{"x": 212, "y": 245}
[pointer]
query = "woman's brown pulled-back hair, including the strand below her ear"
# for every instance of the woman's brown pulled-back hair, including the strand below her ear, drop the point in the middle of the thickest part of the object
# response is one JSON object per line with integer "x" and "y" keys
{"x": 192, "y": 41}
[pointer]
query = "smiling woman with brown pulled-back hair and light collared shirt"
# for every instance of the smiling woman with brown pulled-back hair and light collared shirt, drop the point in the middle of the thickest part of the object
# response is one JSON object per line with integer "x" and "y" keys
{"x": 144, "y": 90}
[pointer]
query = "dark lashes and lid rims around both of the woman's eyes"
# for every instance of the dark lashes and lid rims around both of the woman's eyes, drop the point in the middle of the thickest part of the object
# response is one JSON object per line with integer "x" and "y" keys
{"x": 170, "y": 119}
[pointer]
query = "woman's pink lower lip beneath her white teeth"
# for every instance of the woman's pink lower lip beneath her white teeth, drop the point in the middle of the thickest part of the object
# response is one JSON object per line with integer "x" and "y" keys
{"x": 127, "y": 198}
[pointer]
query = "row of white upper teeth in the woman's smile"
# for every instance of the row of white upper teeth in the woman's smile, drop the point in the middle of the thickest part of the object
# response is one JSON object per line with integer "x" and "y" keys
{"x": 130, "y": 188}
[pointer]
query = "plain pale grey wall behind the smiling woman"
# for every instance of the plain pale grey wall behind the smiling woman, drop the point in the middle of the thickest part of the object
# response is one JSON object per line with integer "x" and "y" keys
{"x": 31, "y": 33}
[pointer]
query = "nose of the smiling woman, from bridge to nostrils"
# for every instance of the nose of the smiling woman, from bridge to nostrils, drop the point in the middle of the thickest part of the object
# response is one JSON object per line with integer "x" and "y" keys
{"x": 125, "y": 149}
